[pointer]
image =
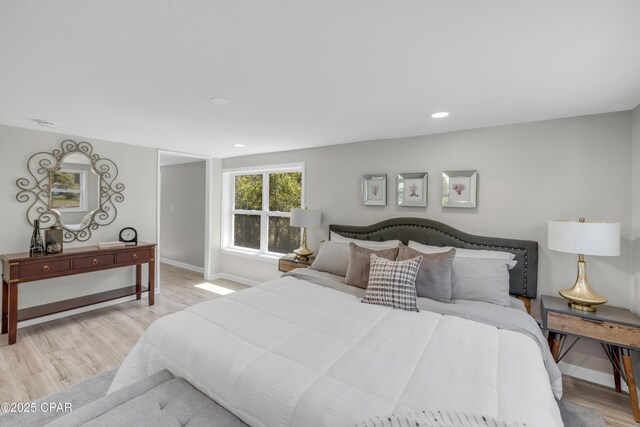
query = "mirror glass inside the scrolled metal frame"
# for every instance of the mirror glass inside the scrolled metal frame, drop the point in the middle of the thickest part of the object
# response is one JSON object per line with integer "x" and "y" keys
{"x": 74, "y": 191}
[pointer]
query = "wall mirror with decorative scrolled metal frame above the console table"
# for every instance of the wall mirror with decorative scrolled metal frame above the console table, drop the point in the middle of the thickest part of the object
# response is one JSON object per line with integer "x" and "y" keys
{"x": 72, "y": 188}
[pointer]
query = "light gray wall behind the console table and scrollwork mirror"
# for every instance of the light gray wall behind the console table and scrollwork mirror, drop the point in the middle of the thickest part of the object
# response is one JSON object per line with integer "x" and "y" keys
{"x": 137, "y": 168}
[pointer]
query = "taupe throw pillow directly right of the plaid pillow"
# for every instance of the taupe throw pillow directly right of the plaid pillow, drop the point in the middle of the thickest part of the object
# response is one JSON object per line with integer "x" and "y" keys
{"x": 434, "y": 277}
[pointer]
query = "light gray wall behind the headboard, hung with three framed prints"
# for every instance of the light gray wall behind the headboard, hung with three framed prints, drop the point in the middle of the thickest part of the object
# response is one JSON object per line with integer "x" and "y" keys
{"x": 528, "y": 173}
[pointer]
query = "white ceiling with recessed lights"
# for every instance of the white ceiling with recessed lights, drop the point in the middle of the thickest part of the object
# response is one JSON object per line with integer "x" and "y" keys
{"x": 302, "y": 73}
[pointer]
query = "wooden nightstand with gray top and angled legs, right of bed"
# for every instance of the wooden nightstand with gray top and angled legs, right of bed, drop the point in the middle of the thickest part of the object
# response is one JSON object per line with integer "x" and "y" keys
{"x": 617, "y": 330}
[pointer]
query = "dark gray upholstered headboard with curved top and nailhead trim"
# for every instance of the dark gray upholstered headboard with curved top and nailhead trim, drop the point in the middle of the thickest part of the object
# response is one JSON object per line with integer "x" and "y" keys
{"x": 523, "y": 279}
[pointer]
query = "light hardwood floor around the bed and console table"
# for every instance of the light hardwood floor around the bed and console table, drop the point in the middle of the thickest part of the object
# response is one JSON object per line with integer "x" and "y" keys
{"x": 56, "y": 354}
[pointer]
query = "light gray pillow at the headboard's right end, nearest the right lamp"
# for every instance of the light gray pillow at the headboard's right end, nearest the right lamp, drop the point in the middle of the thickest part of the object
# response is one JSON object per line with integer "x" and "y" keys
{"x": 481, "y": 279}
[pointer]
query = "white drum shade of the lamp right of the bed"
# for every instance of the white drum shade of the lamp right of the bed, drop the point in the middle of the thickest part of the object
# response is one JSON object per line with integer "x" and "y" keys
{"x": 587, "y": 238}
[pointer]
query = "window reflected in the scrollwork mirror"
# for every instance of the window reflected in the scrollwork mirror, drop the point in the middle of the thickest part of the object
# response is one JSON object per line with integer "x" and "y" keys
{"x": 68, "y": 190}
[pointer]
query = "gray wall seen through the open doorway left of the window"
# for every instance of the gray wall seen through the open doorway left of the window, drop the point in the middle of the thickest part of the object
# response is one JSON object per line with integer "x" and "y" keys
{"x": 182, "y": 213}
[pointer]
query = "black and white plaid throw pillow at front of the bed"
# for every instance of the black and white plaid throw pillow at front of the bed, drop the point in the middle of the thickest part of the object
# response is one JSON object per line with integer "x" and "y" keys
{"x": 393, "y": 283}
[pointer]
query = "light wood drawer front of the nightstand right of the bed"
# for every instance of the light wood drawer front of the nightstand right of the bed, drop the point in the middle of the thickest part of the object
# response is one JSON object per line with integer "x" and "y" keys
{"x": 604, "y": 331}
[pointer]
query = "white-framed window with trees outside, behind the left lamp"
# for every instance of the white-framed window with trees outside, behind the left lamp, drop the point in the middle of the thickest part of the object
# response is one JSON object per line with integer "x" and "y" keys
{"x": 260, "y": 203}
